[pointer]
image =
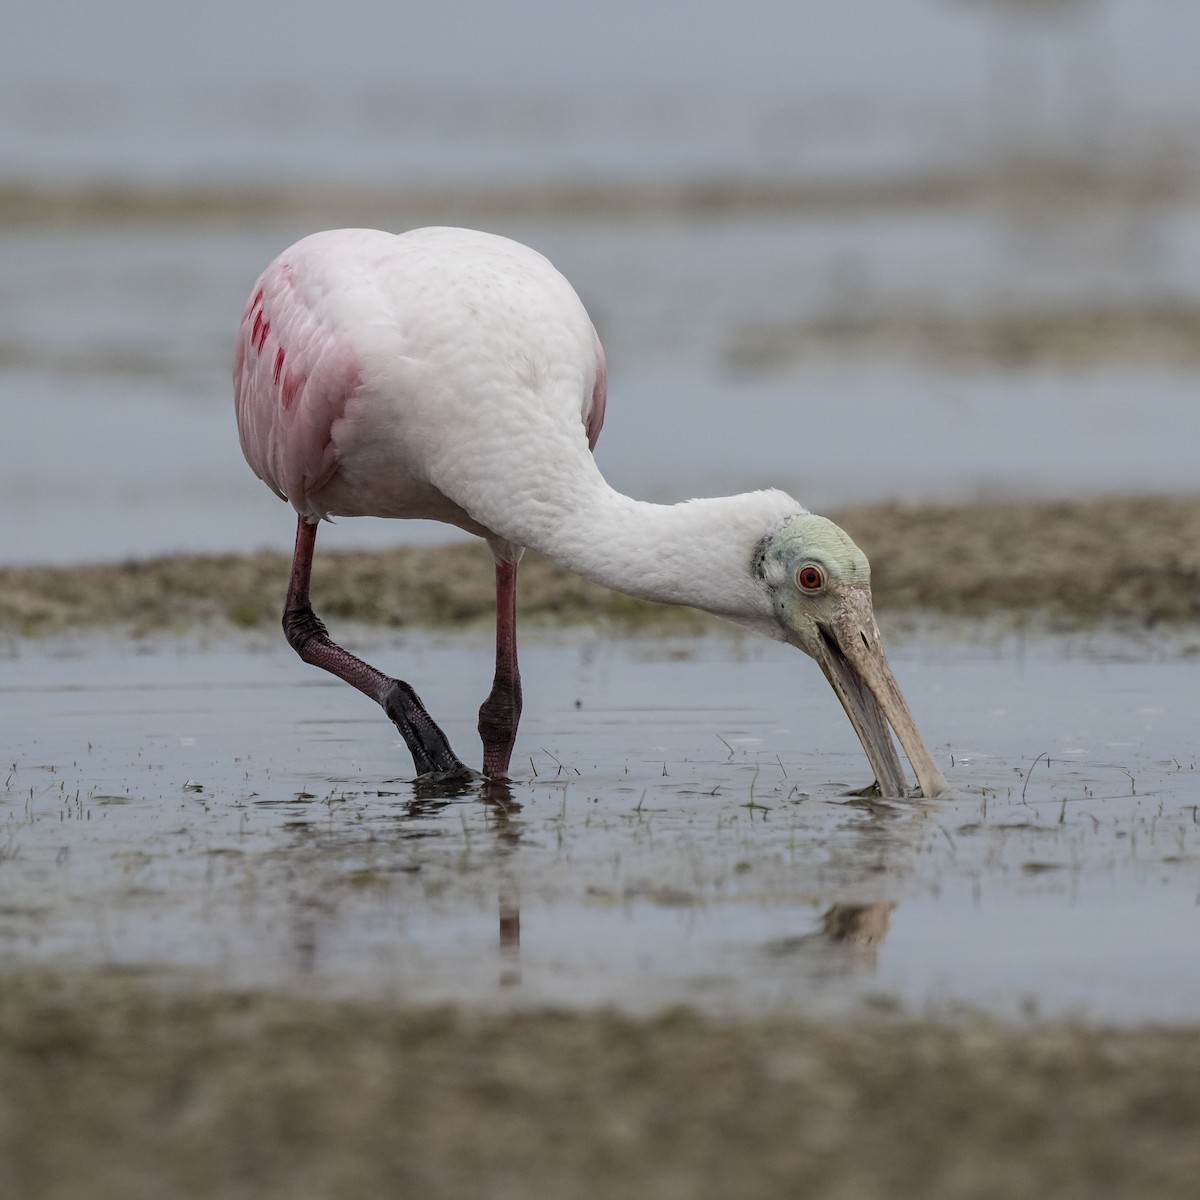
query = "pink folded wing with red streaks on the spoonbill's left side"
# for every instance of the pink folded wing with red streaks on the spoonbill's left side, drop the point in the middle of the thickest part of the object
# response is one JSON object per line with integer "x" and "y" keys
{"x": 293, "y": 375}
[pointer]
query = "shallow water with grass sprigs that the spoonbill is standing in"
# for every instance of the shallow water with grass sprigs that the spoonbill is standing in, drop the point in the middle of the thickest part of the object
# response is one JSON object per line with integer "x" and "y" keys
{"x": 679, "y": 830}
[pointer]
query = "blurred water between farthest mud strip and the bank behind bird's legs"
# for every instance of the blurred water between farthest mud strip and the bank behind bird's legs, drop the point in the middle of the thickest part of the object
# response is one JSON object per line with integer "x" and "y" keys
{"x": 121, "y": 439}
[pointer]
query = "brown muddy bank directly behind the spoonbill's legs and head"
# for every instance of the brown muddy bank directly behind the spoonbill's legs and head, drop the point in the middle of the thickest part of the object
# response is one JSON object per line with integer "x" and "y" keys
{"x": 1069, "y": 565}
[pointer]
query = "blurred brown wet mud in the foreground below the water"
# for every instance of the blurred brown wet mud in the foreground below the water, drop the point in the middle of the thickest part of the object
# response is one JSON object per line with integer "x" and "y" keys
{"x": 112, "y": 1090}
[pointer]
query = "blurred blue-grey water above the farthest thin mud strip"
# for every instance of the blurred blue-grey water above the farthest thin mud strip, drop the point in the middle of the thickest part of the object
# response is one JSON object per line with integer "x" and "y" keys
{"x": 466, "y": 91}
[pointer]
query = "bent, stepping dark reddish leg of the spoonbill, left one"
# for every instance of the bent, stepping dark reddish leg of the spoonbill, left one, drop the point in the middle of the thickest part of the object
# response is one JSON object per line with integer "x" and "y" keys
{"x": 309, "y": 638}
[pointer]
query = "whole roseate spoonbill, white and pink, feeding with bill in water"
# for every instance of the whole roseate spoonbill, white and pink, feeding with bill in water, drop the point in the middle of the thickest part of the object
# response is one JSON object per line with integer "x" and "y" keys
{"x": 453, "y": 375}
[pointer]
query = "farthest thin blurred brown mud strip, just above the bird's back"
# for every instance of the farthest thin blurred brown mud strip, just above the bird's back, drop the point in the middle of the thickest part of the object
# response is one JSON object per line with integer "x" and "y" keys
{"x": 1012, "y": 183}
